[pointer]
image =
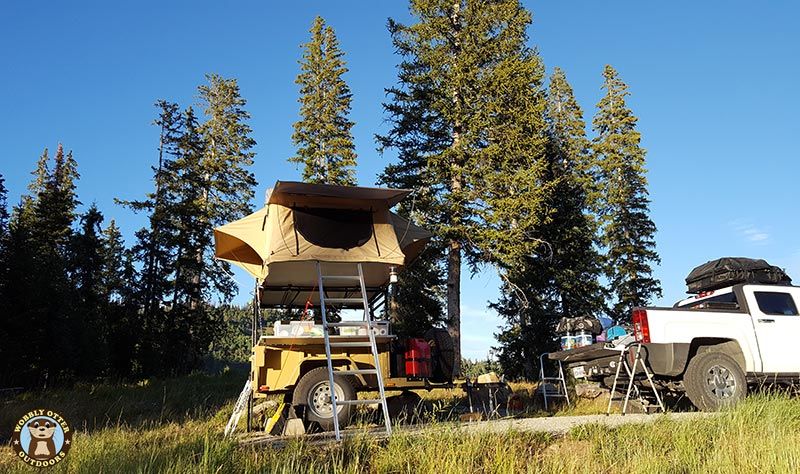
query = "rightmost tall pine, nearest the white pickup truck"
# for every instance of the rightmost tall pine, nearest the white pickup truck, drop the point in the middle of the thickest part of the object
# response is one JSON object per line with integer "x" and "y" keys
{"x": 627, "y": 230}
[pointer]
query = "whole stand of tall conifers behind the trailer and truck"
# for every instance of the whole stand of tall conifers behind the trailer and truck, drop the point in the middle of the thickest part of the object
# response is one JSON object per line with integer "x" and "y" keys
{"x": 509, "y": 171}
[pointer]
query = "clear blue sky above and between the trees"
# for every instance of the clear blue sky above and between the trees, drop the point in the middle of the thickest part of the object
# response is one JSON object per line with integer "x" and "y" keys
{"x": 713, "y": 83}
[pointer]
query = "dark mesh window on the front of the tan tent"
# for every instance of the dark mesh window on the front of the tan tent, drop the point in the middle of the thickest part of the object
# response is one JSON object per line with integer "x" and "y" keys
{"x": 334, "y": 228}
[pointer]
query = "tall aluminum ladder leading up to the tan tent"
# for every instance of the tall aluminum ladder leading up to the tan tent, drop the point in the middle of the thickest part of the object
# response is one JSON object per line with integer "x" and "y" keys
{"x": 369, "y": 324}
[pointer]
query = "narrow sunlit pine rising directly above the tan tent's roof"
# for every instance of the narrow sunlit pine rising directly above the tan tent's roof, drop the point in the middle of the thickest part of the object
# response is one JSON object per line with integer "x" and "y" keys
{"x": 323, "y": 134}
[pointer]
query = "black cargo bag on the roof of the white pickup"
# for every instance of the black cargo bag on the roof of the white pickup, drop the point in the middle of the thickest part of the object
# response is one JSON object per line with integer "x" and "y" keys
{"x": 729, "y": 271}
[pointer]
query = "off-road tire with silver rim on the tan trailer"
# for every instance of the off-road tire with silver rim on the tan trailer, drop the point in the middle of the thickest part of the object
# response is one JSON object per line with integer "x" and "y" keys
{"x": 313, "y": 394}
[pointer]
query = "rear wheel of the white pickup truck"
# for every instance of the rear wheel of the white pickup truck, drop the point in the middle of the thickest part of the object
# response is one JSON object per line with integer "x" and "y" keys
{"x": 714, "y": 380}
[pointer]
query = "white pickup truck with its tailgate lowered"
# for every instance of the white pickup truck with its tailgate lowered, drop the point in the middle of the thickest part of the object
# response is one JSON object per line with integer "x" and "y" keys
{"x": 715, "y": 344}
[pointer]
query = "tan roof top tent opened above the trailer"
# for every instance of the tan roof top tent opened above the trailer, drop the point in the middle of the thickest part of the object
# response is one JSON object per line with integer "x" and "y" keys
{"x": 305, "y": 223}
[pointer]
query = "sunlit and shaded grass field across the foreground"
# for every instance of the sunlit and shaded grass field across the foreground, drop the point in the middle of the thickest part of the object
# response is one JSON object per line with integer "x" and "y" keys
{"x": 175, "y": 426}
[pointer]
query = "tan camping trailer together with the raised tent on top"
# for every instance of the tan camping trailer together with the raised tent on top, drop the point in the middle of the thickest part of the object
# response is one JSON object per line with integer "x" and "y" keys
{"x": 327, "y": 252}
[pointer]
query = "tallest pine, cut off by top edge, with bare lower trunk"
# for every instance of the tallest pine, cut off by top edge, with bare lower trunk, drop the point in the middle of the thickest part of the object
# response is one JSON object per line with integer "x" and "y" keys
{"x": 468, "y": 118}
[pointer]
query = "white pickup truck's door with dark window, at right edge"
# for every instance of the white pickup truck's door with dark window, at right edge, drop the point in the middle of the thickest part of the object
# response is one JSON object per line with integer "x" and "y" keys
{"x": 777, "y": 325}
